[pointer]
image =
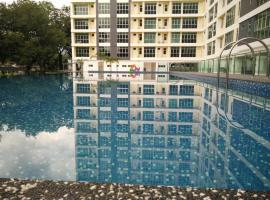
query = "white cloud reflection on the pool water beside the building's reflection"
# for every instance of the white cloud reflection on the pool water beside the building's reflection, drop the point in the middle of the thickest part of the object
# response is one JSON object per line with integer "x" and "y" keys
{"x": 49, "y": 156}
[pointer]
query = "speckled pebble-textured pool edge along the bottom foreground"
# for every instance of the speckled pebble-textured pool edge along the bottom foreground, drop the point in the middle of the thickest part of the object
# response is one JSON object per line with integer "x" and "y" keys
{"x": 15, "y": 189}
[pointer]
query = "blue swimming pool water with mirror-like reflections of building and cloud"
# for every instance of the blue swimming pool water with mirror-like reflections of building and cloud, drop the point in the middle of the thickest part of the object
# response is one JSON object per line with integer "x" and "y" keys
{"x": 175, "y": 132}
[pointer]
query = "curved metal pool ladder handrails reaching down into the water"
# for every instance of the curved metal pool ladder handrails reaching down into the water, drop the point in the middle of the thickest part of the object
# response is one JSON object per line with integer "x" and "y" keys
{"x": 233, "y": 45}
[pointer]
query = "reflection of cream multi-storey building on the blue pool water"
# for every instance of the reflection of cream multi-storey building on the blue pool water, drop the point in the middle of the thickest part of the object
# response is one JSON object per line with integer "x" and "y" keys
{"x": 156, "y": 131}
